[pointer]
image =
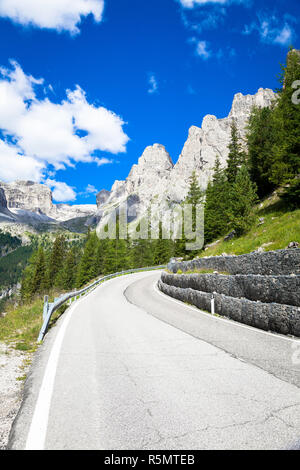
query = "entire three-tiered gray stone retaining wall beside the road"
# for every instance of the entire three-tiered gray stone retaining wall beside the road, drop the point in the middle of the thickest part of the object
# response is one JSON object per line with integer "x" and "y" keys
{"x": 262, "y": 289}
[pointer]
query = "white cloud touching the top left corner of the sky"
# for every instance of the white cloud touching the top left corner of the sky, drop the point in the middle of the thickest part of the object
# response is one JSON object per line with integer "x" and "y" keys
{"x": 61, "y": 15}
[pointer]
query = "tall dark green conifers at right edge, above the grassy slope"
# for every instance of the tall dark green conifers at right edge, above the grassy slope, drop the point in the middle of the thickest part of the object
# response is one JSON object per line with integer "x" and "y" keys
{"x": 274, "y": 137}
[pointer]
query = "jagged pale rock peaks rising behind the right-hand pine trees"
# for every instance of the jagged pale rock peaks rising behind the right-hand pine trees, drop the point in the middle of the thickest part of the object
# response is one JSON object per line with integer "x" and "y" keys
{"x": 156, "y": 180}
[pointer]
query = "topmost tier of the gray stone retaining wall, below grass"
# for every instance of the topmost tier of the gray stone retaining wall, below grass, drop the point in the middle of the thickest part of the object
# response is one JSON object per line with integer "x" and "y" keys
{"x": 281, "y": 262}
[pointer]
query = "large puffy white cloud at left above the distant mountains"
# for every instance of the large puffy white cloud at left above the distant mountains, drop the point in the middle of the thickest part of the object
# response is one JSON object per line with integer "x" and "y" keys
{"x": 46, "y": 133}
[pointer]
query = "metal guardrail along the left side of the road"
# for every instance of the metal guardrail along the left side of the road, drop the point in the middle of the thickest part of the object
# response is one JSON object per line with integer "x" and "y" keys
{"x": 50, "y": 308}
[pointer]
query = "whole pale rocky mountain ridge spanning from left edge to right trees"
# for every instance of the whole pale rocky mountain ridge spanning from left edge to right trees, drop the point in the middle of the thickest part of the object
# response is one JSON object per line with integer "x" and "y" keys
{"x": 155, "y": 178}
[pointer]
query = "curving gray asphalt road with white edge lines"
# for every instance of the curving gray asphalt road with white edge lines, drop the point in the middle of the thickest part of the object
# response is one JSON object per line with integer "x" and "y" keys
{"x": 128, "y": 368}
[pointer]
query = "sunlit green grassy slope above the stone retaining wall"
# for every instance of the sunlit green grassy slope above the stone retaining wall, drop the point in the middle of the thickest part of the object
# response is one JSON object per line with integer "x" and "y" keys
{"x": 279, "y": 229}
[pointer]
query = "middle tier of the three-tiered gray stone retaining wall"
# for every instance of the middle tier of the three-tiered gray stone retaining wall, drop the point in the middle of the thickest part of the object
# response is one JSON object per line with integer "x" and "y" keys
{"x": 278, "y": 289}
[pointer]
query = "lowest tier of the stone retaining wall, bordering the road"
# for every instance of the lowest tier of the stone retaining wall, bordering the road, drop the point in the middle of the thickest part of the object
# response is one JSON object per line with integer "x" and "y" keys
{"x": 284, "y": 319}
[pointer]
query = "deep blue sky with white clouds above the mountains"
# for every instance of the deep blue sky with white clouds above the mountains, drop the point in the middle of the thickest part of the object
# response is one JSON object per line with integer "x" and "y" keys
{"x": 86, "y": 85}
